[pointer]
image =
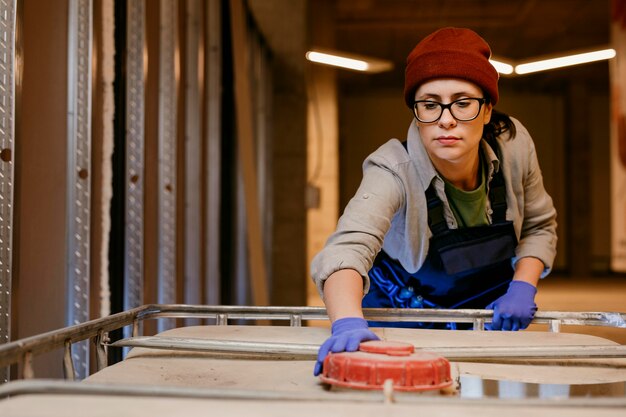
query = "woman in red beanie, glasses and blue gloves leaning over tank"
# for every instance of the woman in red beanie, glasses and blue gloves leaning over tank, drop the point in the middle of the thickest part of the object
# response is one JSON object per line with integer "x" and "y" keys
{"x": 454, "y": 217}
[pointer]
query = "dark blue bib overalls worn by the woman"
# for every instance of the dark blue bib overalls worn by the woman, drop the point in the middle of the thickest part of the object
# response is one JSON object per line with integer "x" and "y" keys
{"x": 464, "y": 268}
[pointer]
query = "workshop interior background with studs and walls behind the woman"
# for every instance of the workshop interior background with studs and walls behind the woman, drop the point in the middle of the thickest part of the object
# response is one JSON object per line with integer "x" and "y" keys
{"x": 163, "y": 151}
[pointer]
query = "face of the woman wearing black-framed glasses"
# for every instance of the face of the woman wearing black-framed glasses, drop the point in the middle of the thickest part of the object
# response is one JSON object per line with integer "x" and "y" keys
{"x": 448, "y": 139}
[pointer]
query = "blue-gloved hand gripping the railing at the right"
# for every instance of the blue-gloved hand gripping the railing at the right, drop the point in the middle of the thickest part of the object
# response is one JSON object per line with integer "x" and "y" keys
{"x": 515, "y": 309}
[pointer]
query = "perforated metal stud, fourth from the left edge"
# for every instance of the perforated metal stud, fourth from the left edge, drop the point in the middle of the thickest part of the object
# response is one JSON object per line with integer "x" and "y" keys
{"x": 167, "y": 158}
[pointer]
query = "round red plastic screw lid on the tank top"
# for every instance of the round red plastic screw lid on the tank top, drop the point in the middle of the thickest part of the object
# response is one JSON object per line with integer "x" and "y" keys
{"x": 378, "y": 361}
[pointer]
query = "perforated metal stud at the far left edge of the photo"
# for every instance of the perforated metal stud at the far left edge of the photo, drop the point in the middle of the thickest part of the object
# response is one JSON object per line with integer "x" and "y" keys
{"x": 7, "y": 137}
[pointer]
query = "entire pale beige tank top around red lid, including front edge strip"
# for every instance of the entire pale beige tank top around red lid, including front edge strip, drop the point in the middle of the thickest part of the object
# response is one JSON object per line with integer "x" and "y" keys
{"x": 301, "y": 393}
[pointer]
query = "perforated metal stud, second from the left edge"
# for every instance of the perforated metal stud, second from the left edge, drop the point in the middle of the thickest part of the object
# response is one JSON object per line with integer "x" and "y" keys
{"x": 79, "y": 172}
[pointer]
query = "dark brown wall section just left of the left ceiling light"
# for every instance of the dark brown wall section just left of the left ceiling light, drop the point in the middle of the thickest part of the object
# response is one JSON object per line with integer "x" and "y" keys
{"x": 284, "y": 27}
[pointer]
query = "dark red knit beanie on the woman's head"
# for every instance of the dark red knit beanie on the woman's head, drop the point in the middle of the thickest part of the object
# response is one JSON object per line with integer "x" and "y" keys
{"x": 451, "y": 53}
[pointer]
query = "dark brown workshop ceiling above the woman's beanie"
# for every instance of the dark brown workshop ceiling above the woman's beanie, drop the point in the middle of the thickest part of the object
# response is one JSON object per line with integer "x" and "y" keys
{"x": 515, "y": 29}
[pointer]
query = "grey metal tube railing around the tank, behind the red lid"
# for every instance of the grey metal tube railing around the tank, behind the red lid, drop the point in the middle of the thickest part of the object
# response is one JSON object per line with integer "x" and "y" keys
{"x": 23, "y": 350}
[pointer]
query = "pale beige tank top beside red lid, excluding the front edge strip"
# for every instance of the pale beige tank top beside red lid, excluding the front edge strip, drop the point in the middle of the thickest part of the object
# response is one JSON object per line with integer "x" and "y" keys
{"x": 193, "y": 369}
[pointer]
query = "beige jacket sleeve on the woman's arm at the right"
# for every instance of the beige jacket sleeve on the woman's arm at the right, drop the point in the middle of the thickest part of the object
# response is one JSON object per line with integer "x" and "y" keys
{"x": 538, "y": 231}
